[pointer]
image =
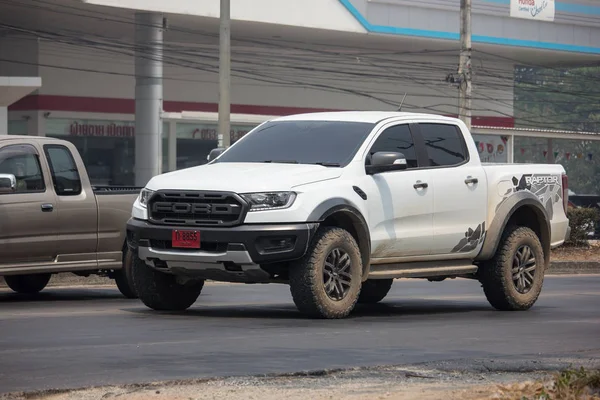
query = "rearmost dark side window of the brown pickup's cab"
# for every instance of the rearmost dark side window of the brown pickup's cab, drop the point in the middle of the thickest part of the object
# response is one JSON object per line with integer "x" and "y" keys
{"x": 64, "y": 171}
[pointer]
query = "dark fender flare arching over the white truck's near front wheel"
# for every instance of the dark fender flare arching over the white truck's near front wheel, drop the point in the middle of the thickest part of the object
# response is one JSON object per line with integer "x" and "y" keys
{"x": 343, "y": 206}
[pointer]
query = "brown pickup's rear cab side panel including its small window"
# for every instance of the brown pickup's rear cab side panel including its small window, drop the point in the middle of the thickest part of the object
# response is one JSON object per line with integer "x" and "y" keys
{"x": 75, "y": 206}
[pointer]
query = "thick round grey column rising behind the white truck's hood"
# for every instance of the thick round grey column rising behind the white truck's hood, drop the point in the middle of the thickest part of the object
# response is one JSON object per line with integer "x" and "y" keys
{"x": 148, "y": 96}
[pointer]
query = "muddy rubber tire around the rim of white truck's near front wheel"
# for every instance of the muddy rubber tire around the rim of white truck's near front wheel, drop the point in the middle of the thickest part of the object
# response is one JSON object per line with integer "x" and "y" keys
{"x": 307, "y": 284}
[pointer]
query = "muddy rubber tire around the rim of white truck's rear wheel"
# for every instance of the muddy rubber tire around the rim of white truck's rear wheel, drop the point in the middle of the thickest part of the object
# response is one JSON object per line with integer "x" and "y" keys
{"x": 496, "y": 276}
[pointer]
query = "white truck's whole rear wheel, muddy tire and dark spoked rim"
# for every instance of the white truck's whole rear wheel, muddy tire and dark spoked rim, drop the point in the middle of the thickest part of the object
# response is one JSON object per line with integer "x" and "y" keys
{"x": 512, "y": 280}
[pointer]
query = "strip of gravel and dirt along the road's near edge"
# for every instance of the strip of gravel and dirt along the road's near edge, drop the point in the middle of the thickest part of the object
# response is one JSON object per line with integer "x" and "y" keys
{"x": 453, "y": 380}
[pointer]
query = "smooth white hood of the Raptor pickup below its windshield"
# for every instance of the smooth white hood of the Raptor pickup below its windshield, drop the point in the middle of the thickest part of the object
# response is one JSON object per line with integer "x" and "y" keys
{"x": 243, "y": 177}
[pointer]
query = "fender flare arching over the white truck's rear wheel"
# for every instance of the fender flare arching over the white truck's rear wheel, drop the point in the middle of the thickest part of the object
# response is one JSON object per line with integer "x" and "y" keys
{"x": 504, "y": 213}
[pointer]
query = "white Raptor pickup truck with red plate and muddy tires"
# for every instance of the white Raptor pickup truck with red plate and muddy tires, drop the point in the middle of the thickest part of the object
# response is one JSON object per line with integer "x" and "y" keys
{"x": 338, "y": 205}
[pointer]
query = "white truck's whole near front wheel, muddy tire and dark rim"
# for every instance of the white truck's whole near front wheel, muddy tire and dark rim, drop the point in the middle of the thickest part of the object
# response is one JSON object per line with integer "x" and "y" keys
{"x": 326, "y": 282}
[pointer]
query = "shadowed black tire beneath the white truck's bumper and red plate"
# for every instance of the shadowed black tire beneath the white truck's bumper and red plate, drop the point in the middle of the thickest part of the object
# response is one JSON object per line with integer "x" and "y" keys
{"x": 160, "y": 291}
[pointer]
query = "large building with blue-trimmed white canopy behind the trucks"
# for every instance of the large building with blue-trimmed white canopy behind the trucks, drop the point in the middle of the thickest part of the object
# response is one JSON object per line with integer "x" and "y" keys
{"x": 350, "y": 55}
